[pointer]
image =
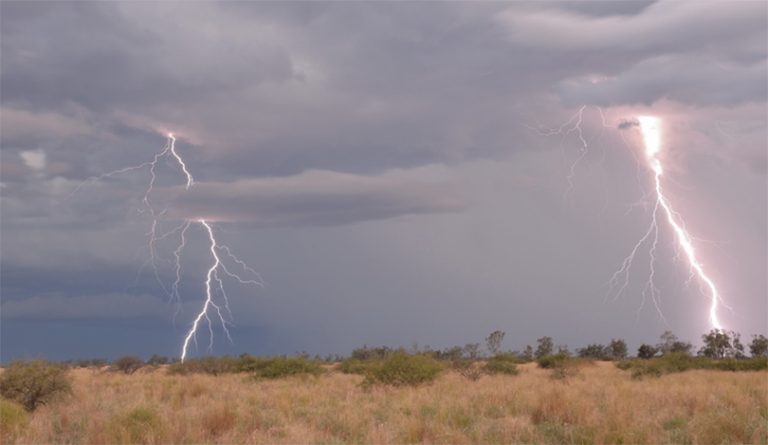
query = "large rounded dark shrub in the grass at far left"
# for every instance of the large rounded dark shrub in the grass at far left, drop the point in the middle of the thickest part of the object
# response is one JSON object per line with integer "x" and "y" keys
{"x": 34, "y": 383}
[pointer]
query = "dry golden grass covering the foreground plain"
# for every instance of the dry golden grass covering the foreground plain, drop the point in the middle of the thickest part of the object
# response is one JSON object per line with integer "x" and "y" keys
{"x": 600, "y": 404}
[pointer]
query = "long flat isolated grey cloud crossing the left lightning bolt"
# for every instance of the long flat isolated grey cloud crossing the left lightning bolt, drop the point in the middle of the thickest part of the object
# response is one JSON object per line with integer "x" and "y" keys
{"x": 317, "y": 198}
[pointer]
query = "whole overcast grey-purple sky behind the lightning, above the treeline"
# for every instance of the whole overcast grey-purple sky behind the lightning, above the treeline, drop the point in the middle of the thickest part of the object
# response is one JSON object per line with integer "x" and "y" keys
{"x": 393, "y": 171}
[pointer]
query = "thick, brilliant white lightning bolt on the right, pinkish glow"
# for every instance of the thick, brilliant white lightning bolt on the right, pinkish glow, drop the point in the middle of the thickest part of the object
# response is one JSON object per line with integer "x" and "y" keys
{"x": 651, "y": 133}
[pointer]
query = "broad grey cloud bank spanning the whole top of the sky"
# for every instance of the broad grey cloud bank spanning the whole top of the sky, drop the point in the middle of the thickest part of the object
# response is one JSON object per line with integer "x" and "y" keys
{"x": 418, "y": 83}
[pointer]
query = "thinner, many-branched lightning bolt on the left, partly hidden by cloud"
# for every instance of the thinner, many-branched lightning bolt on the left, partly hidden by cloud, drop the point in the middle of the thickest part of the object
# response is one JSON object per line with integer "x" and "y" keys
{"x": 213, "y": 280}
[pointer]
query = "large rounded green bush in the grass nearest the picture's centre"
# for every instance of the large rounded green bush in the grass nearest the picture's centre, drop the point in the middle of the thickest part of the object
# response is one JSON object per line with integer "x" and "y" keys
{"x": 404, "y": 369}
